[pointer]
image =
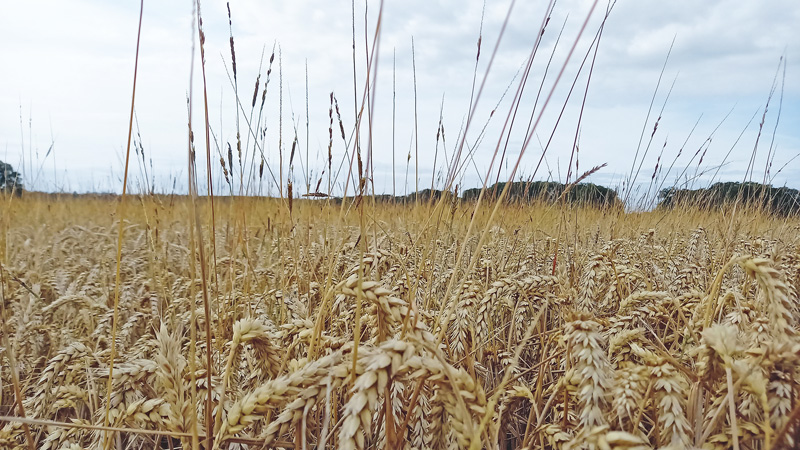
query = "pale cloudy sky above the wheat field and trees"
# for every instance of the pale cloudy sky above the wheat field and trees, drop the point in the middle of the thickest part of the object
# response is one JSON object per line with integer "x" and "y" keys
{"x": 65, "y": 91}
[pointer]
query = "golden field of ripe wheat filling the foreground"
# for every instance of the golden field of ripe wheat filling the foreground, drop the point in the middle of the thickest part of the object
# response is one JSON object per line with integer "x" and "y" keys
{"x": 318, "y": 325}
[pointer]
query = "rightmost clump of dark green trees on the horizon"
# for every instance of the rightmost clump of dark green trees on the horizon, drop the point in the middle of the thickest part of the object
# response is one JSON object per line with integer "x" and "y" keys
{"x": 782, "y": 201}
